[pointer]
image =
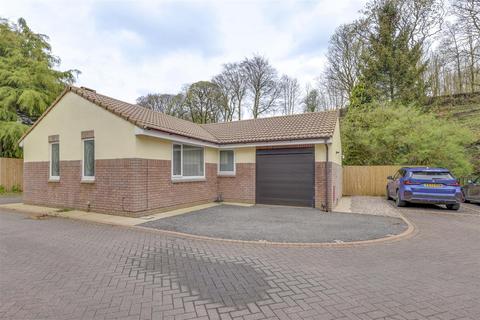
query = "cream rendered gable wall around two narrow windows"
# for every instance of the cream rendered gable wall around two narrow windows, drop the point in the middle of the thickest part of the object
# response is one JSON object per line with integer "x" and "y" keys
{"x": 114, "y": 137}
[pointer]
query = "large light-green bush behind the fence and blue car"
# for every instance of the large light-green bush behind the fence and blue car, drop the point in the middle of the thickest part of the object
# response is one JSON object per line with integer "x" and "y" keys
{"x": 379, "y": 134}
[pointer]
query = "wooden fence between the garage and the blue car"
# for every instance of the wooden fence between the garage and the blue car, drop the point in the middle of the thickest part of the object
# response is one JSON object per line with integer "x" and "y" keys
{"x": 366, "y": 180}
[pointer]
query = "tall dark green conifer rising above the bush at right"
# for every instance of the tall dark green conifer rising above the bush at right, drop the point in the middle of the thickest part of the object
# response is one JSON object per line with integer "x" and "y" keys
{"x": 391, "y": 64}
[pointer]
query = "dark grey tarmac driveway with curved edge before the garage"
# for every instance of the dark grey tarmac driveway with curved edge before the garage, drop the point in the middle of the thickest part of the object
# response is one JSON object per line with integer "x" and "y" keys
{"x": 280, "y": 224}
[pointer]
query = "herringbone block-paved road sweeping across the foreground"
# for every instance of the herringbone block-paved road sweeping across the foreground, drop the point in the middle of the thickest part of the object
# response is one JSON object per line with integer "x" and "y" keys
{"x": 65, "y": 269}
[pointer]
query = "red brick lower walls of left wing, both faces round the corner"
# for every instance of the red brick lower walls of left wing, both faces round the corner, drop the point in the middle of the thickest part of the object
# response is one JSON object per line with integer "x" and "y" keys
{"x": 122, "y": 186}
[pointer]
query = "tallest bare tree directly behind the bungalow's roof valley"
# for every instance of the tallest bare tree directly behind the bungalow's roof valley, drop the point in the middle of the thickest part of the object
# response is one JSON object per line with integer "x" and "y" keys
{"x": 262, "y": 84}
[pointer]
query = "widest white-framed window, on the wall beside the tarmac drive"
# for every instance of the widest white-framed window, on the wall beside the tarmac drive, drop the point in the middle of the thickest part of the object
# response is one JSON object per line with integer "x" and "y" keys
{"x": 187, "y": 162}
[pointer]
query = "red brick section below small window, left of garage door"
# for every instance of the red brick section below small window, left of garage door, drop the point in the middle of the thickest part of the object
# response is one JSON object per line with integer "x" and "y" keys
{"x": 240, "y": 187}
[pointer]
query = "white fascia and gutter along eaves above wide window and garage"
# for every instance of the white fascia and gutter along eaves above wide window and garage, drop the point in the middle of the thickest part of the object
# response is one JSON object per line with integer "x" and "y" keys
{"x": 196, "y": 142}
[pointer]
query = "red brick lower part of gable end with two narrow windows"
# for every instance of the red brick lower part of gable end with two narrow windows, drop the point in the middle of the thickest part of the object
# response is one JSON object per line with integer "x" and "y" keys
{"x": 113, "y": 190}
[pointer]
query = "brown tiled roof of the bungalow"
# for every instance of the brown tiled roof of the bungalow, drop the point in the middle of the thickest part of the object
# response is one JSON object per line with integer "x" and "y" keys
{"x": 294, "y": 127}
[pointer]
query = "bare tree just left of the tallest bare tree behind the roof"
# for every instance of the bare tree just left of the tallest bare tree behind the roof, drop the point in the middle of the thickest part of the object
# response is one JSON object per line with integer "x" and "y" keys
{"x": 233, "y": 86}
